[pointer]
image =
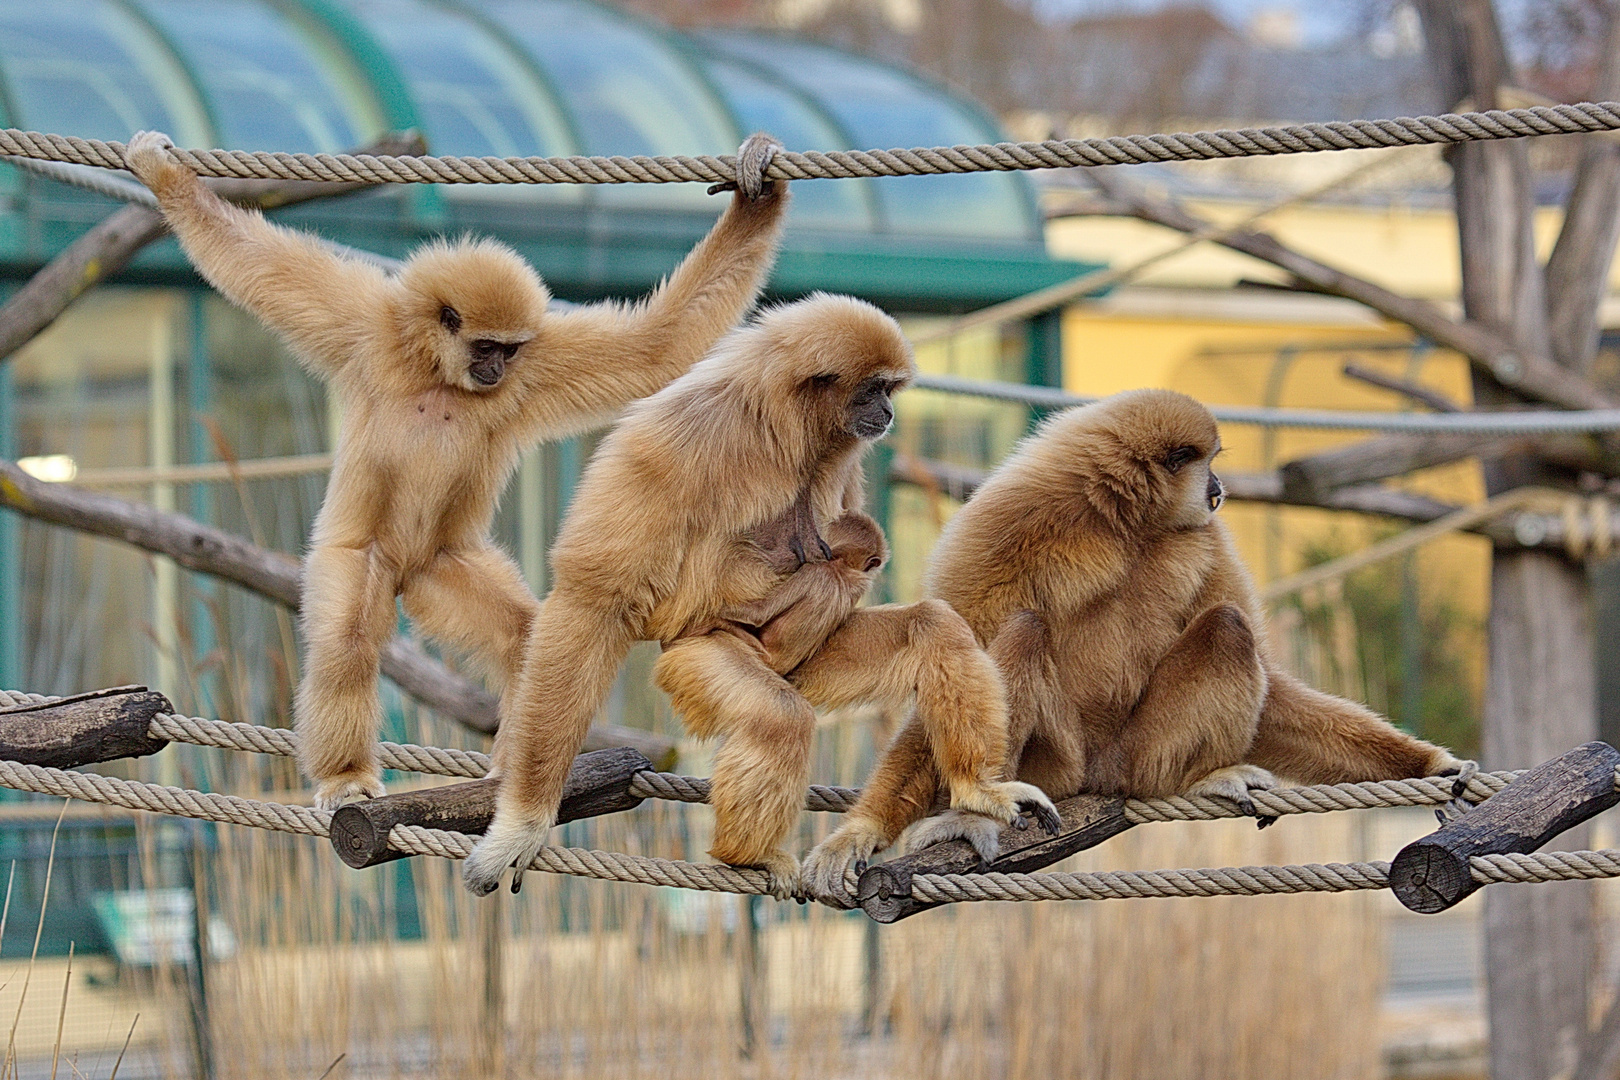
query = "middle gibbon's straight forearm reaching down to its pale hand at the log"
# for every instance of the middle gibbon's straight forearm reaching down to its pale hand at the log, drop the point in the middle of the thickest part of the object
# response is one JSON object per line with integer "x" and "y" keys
{"x": 569, "y": 663}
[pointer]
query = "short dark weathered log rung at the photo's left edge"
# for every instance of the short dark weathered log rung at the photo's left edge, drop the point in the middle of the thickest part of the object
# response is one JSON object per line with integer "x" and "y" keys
{"x": 83, "y": 729}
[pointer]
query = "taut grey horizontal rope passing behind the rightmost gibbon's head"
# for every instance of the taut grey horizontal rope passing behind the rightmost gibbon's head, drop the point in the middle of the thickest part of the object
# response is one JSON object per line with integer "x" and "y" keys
{"x": 1511, "y": 423}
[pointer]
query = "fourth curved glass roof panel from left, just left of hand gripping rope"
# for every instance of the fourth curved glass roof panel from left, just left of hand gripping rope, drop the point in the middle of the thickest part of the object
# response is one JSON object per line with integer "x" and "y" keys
{"x": 628, "y": 91}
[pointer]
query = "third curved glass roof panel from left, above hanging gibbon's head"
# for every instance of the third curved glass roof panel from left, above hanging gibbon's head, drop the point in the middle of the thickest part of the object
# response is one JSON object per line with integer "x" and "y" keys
{"x": 475, "y": 96}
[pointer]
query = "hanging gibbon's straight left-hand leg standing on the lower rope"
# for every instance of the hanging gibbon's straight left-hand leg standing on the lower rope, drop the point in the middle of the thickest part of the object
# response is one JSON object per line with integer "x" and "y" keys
{"x": 347, "y": 618}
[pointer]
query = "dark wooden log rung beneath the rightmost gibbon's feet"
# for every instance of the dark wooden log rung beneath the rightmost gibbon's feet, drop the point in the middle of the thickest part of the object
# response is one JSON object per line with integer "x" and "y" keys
{"x": 1086, "y": 822}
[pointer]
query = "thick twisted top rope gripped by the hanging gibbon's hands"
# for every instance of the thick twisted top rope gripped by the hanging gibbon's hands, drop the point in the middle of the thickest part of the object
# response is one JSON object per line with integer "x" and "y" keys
{"x": 1130, "y": 150}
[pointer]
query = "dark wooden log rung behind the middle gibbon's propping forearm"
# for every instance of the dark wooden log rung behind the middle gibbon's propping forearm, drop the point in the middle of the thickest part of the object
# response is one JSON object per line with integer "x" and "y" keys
{"x": 599, "y": 784}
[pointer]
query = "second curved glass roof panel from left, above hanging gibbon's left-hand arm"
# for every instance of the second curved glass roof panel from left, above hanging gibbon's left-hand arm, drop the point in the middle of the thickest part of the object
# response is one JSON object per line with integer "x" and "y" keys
{"x": 266, "y": 88}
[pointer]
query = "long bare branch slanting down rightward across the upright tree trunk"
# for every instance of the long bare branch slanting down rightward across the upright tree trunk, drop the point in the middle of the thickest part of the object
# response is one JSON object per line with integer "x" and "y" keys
{"x": 1527, "y": 373}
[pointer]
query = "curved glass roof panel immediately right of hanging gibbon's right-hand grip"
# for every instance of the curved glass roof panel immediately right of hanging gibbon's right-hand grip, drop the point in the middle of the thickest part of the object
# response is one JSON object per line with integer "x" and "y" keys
{"x": 764, "y": 106}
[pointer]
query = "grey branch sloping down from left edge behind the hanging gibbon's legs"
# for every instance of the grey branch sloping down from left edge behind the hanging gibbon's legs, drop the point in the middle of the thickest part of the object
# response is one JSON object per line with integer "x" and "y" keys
{"x": 275, "y": 576}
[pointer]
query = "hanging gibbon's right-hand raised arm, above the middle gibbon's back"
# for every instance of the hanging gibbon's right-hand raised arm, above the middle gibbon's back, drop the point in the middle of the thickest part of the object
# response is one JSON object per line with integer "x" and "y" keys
{"x": 599, "y": 359}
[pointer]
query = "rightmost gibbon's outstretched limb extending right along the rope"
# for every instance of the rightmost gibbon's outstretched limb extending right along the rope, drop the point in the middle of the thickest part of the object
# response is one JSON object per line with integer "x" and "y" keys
{"x": 1318, "y": 739}
